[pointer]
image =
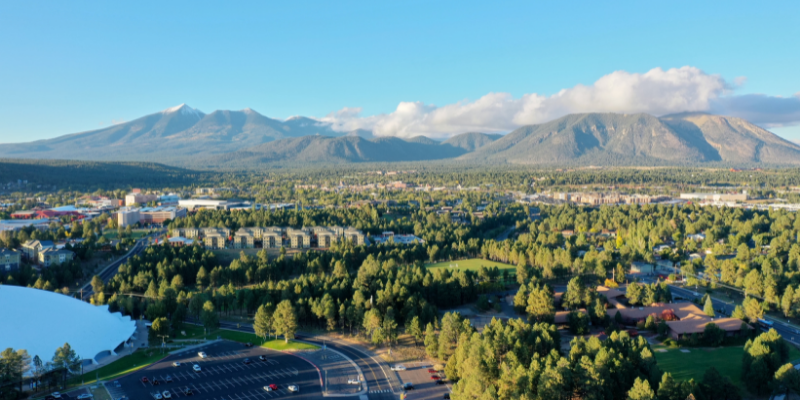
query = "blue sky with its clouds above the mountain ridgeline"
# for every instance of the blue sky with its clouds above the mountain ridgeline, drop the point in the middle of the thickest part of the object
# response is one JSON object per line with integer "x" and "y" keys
{"x": 397, "y": 68}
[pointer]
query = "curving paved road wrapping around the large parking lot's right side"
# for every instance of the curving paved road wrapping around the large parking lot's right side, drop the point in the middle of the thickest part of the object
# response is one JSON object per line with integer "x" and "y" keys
{"x": 375, "y": 373}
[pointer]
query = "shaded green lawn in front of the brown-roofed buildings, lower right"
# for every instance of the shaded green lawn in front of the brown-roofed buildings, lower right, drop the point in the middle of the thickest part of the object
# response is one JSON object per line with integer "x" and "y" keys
{"x": 692, "y": 365}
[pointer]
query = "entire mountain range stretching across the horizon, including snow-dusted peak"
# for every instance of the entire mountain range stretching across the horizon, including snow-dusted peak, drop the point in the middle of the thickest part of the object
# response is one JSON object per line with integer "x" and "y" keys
{"x": 184, "y": 136}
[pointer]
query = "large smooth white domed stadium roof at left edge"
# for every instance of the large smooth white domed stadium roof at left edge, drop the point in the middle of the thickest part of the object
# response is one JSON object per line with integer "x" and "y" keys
{"x": 40, "y": 322}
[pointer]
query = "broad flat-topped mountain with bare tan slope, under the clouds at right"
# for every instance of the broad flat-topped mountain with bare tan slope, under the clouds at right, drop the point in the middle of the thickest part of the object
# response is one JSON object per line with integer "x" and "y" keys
{"x": 603, "y": 139}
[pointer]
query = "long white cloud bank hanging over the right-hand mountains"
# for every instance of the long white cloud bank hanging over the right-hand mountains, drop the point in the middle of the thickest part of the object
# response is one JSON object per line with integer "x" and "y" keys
{"x": 657, "y": 92}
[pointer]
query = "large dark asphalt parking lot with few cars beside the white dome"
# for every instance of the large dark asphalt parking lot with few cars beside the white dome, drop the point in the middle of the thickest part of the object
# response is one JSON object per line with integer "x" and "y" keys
{"x": 223, "y": 375}
